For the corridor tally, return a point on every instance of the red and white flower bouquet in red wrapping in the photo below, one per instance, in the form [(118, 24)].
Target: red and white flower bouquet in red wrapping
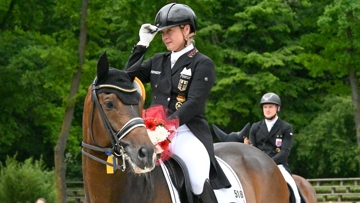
[(161, 130)]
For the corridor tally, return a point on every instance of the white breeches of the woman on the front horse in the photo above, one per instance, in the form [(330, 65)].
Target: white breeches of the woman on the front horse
[(189, 148)]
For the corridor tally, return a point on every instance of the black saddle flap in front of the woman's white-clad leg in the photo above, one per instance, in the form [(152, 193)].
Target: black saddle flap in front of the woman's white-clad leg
[(180, 178)]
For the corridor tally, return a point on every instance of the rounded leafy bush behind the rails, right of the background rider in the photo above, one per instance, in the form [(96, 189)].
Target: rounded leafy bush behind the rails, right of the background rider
[(327, 143)]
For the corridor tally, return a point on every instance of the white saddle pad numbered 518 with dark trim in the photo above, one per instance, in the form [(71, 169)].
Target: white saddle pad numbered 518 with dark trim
[(234, 194)]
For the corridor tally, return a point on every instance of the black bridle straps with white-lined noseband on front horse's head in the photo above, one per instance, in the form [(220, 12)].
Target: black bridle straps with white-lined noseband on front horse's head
[(115, 137)]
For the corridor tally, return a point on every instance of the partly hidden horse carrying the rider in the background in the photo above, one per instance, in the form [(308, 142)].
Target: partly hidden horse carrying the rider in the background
[(305, 187)]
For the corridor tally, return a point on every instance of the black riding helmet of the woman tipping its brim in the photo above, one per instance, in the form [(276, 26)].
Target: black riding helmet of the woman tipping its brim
[(175, 14)]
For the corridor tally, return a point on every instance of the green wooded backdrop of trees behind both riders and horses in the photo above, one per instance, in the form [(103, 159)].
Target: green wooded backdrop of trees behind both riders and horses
[(307, 52)]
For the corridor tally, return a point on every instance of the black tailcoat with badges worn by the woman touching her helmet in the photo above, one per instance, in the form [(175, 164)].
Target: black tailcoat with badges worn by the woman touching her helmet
[(168, 83)]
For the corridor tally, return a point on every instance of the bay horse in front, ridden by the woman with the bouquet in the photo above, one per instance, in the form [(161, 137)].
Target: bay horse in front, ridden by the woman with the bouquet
[(112, 128)]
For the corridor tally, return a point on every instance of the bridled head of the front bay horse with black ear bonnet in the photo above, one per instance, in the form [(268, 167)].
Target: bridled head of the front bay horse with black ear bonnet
[(112, 121)]
